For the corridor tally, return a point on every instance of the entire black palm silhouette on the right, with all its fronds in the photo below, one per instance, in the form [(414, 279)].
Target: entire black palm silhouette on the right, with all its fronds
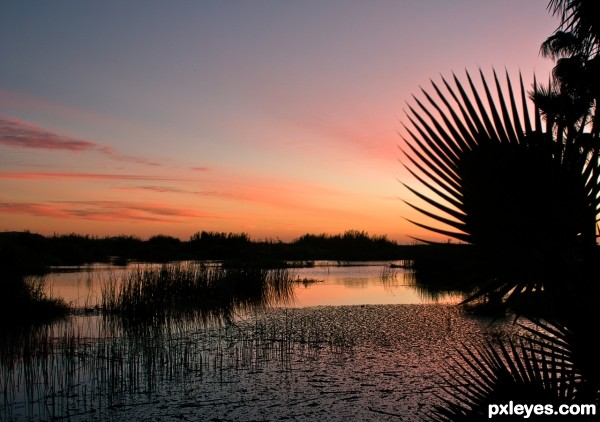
[(520, 182)]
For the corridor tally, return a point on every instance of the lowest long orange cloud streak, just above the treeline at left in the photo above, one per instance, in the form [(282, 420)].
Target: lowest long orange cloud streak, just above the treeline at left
[(104, 211)]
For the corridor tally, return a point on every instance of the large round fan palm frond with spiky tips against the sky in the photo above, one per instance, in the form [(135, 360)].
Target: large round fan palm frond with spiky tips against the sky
[(497, 176)]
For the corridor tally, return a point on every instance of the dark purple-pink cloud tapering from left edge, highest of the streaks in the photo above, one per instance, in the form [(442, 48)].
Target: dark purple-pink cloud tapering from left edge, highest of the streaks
[(18, 134)]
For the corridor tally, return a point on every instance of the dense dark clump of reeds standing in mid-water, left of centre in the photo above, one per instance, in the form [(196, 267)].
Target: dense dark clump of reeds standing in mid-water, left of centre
[(188, 288)]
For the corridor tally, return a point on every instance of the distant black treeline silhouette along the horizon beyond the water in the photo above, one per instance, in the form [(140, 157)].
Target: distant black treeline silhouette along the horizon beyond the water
[(34, 252)]
